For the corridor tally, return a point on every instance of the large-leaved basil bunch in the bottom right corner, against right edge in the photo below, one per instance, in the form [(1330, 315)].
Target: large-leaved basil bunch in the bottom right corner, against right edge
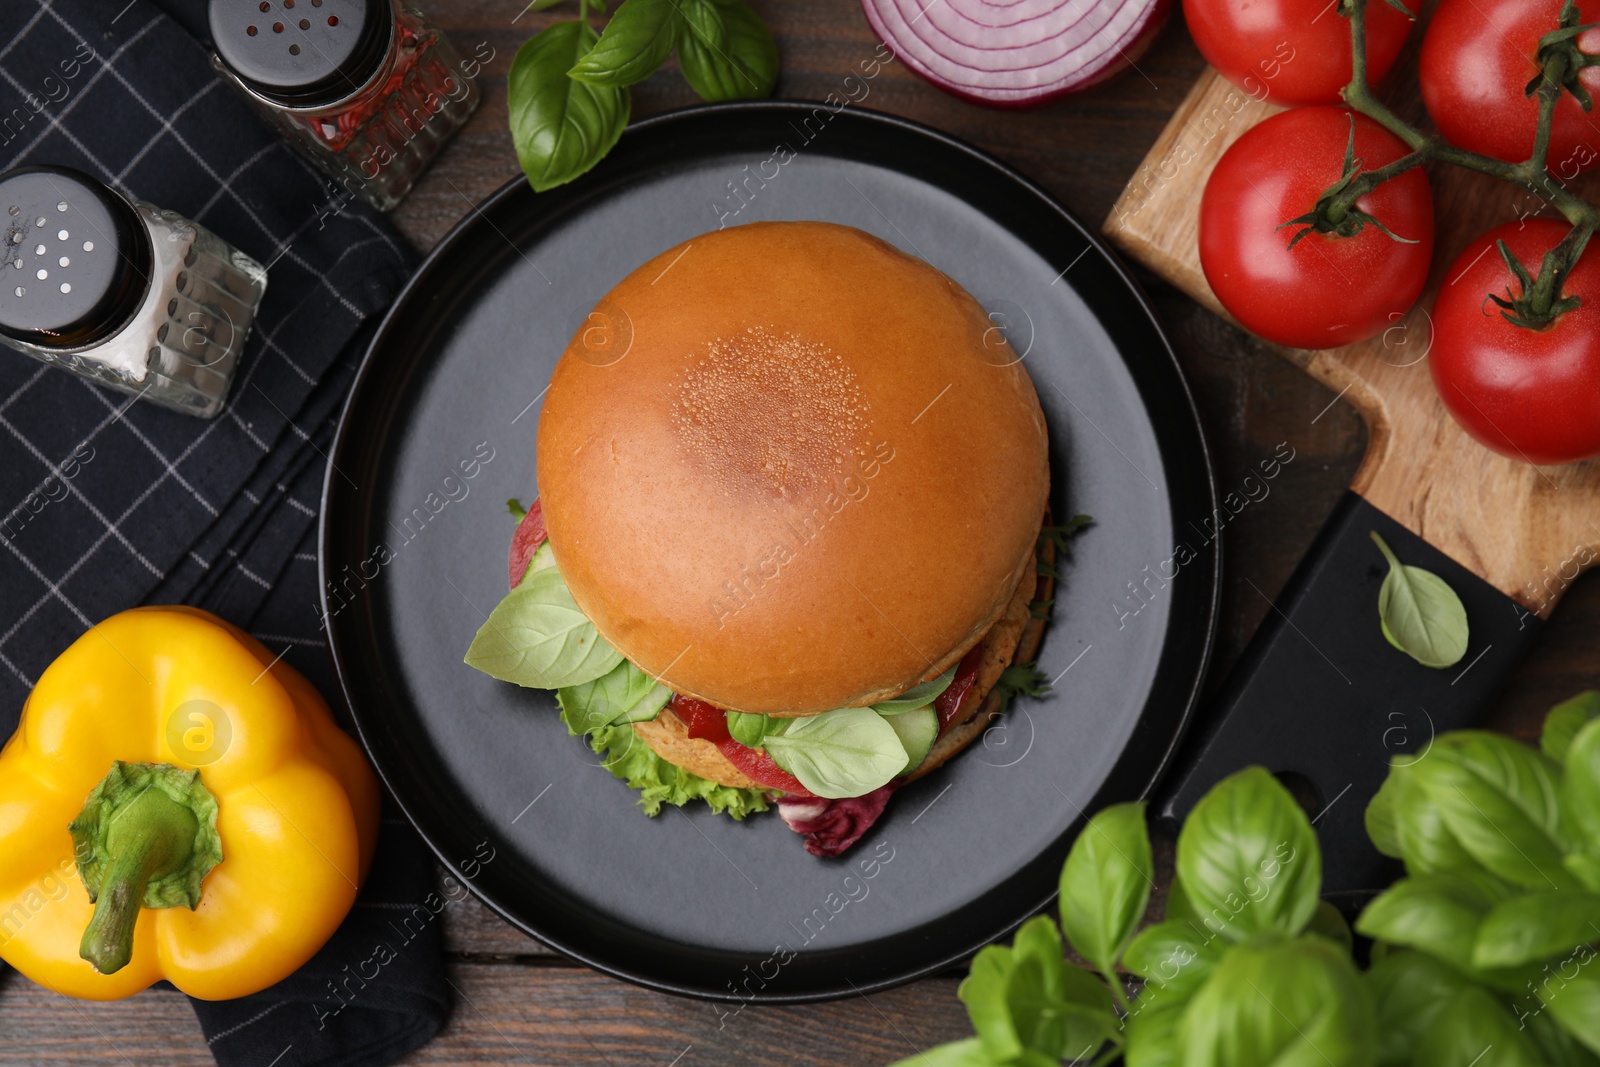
[(1500, 909)]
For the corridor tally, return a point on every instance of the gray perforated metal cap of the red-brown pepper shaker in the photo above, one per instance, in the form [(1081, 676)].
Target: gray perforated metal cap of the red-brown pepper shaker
[(302, 52)]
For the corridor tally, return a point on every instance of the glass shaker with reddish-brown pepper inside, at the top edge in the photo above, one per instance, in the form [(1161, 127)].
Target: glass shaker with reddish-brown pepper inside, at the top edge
[(369, 90)]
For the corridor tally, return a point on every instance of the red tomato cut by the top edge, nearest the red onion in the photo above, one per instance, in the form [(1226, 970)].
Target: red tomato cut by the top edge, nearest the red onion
[(1294, 52)]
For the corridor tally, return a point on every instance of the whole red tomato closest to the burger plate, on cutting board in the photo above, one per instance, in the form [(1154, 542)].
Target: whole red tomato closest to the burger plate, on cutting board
[(1327, 290)]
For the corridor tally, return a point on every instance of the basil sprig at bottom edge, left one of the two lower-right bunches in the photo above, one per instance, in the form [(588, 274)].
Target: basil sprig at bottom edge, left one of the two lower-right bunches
[(1220, 989)]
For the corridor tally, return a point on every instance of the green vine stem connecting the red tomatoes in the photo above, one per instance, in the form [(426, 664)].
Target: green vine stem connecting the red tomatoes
[(1542, 298)]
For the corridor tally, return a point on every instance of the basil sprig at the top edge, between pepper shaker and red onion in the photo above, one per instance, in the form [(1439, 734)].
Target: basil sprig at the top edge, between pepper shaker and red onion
[(567, 94)]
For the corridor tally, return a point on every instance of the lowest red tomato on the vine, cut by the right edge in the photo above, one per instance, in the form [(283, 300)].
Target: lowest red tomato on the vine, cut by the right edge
[(1530, 394)]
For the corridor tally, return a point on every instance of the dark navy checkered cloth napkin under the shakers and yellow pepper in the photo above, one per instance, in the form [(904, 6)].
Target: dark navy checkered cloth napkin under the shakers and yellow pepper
[(108, 503)]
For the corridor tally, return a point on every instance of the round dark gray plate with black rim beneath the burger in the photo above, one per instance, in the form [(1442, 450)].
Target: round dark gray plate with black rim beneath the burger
[(690, 901)]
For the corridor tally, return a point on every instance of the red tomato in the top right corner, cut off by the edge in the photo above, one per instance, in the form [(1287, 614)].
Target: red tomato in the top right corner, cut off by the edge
[(1478, 58)]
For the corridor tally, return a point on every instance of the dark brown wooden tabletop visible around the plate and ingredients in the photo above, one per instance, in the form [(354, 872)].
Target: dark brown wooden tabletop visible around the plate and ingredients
[(521, 1004)]
